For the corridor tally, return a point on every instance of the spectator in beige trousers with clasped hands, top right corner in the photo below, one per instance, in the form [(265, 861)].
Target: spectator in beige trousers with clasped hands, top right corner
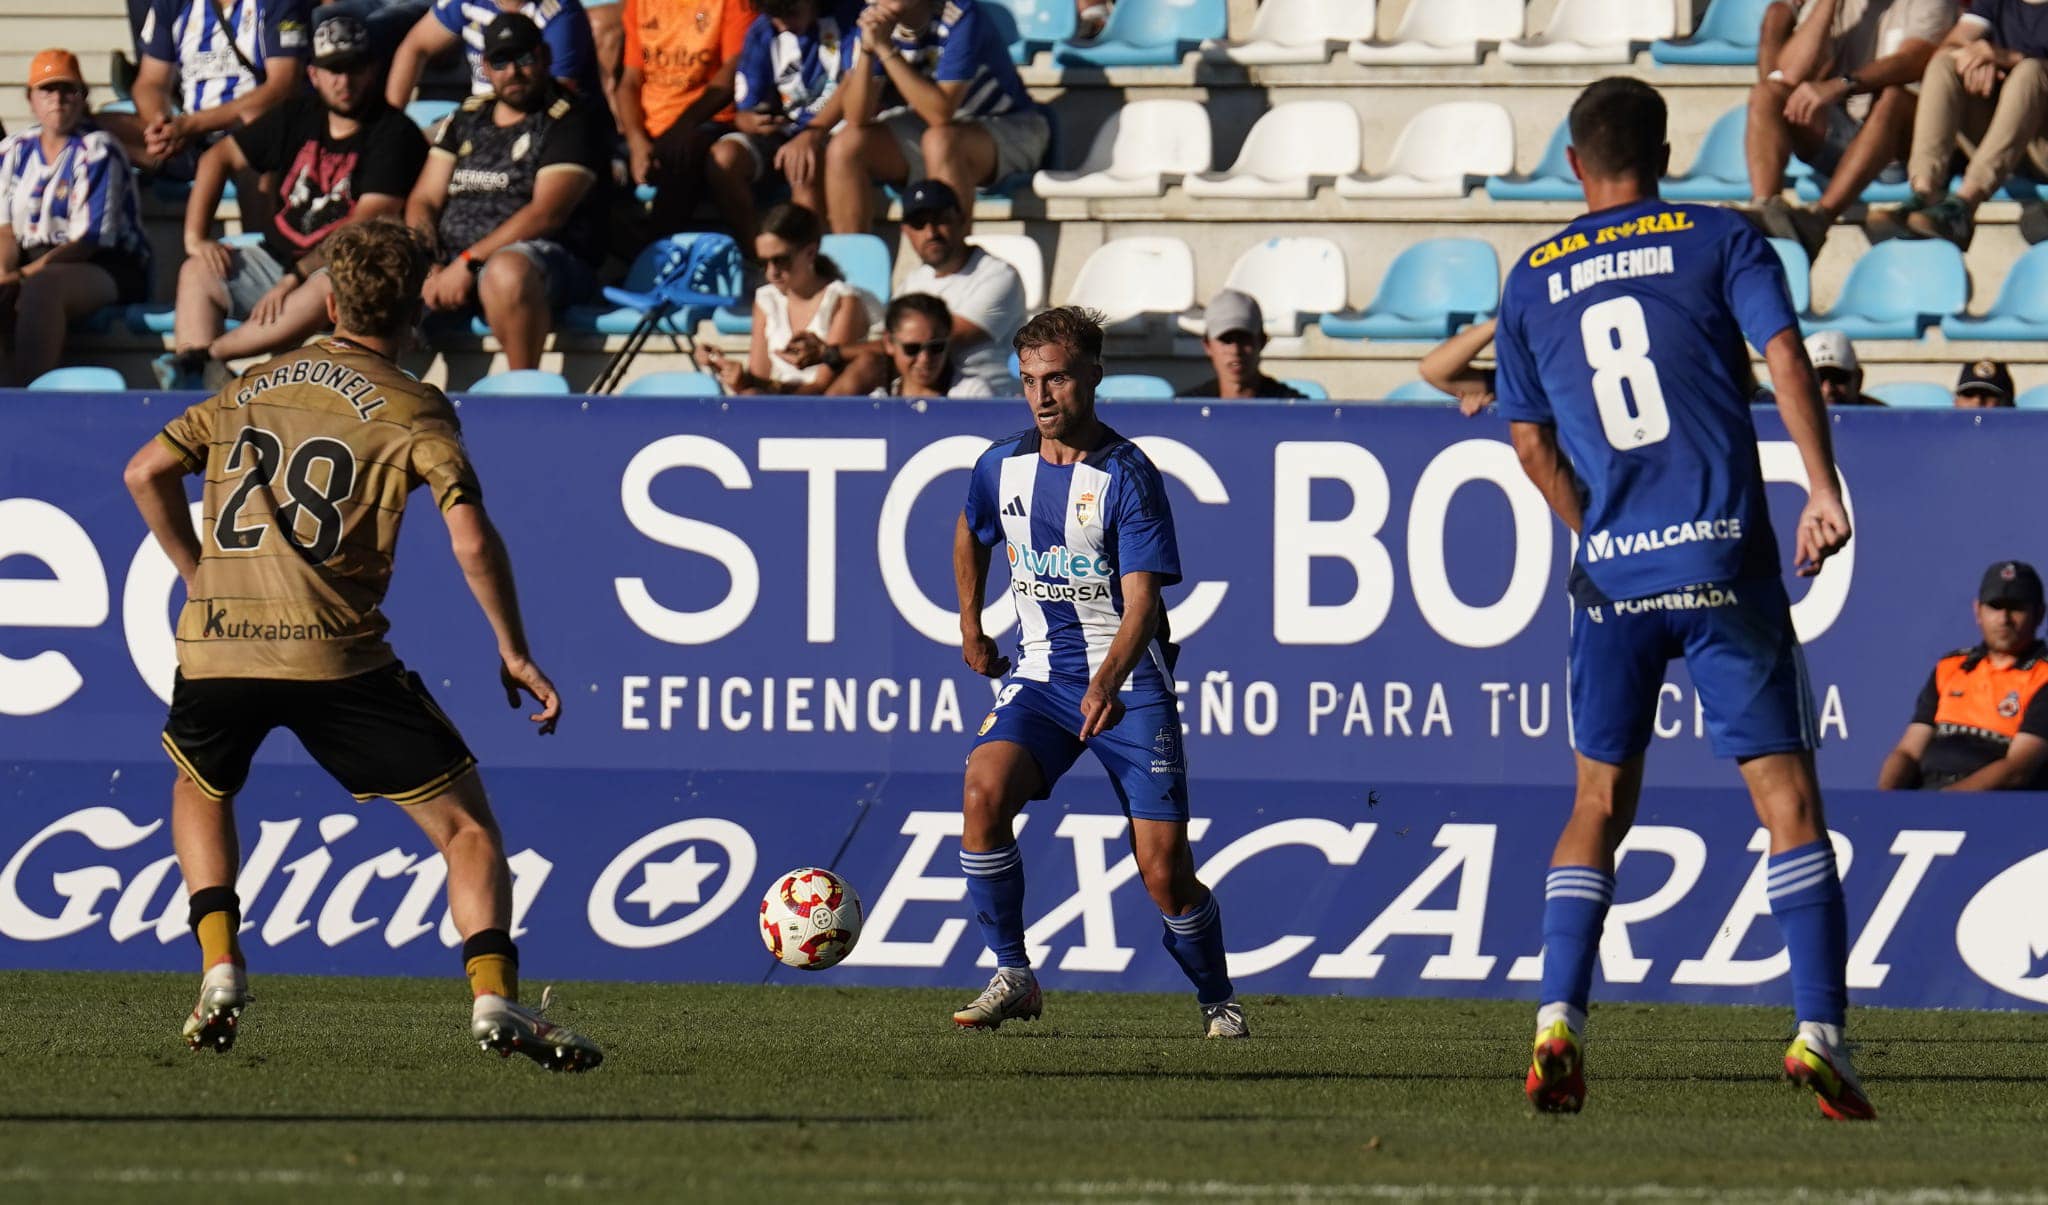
[(1988, 93)]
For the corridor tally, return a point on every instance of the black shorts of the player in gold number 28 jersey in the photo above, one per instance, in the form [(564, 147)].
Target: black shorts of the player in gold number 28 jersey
[(380, 735)]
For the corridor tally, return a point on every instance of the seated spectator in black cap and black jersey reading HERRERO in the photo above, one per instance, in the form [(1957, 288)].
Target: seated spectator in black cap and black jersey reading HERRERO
[(511, 192)]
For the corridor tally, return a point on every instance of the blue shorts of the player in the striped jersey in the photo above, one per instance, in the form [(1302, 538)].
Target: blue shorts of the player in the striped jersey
[(1142, 753)]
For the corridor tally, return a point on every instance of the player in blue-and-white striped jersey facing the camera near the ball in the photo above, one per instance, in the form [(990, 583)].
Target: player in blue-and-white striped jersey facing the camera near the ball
[(1086, 530)]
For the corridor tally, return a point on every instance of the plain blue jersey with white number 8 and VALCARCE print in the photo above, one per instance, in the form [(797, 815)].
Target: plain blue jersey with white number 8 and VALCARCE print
[(1627, 335)]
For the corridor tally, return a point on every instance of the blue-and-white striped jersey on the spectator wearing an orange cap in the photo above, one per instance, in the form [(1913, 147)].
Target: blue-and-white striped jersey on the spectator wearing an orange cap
[(85, 196)]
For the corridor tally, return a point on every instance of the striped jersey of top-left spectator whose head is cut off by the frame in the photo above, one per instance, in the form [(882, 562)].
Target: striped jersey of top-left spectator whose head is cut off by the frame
[(189, 36)]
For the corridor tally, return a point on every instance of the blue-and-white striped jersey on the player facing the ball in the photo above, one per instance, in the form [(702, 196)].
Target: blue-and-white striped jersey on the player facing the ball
[(1070, 536)]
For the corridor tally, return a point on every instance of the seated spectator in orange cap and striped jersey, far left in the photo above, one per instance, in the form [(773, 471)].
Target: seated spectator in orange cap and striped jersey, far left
[(71, 231)]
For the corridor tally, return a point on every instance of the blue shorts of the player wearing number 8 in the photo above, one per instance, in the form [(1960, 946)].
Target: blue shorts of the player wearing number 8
[(1740, 649)]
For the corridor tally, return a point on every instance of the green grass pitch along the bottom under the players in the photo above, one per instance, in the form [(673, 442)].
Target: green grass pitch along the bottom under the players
[(370, 1089)]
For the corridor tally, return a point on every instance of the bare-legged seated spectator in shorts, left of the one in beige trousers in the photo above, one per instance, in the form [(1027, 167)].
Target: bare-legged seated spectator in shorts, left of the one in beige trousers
[(1842, 97)]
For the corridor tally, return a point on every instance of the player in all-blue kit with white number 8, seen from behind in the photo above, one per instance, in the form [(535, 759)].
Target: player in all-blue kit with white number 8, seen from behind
[(1627, 382)]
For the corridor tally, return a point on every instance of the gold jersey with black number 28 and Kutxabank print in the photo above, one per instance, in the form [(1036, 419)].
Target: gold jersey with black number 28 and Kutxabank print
[(308, 462)]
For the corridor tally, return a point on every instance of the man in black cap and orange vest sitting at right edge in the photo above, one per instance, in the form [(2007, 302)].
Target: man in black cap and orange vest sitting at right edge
[(1981, 722)]
